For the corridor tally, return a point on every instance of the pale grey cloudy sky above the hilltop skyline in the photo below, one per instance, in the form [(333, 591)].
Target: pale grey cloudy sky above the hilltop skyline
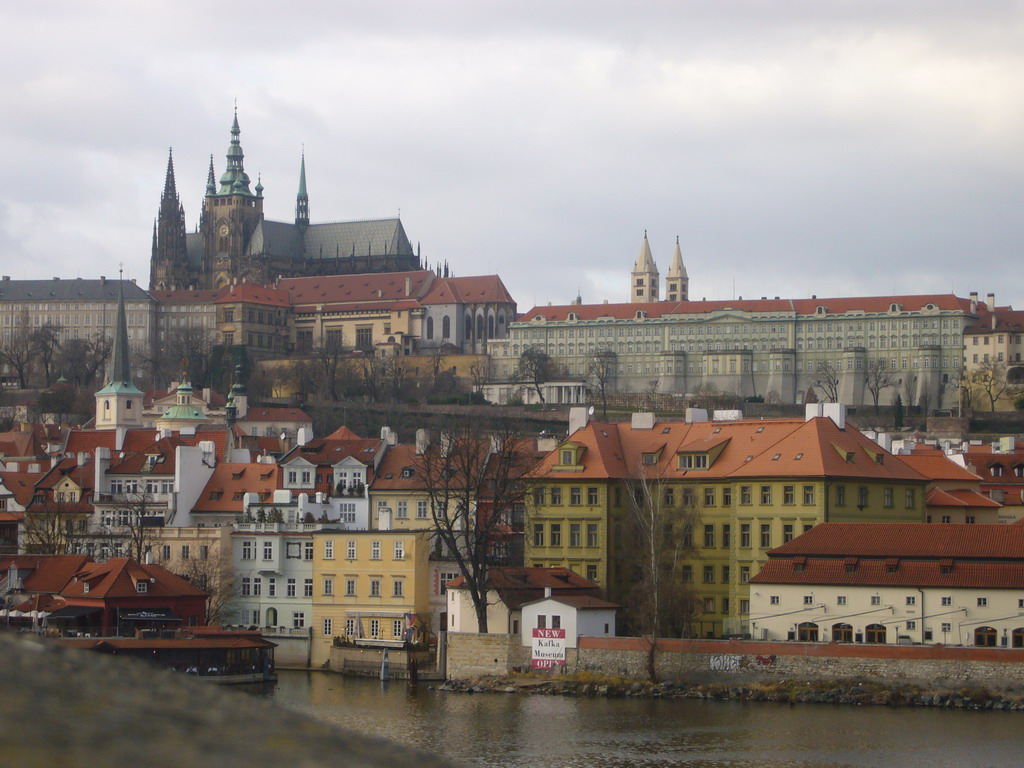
[(795, 148)]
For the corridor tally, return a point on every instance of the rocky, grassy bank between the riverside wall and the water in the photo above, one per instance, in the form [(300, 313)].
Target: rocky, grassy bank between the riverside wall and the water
[(783, 692)]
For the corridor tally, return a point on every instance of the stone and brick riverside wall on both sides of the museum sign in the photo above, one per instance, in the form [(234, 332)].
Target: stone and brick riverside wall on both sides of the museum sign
[(748, 662)]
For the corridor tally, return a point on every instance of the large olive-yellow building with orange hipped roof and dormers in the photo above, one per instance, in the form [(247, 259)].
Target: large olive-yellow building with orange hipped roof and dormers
[(718, 494)]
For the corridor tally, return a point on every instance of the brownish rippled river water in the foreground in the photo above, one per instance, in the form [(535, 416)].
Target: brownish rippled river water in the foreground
[(530, 732)]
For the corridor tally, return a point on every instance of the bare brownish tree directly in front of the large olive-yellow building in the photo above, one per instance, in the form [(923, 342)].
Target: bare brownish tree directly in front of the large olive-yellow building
[(663, 518)]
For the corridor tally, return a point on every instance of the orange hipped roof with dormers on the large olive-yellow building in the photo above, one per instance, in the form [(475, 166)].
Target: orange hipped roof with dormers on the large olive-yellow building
[(784, 448)]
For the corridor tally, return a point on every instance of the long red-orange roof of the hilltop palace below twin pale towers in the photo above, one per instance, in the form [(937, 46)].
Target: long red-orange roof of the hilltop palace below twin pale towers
[(786, 307)]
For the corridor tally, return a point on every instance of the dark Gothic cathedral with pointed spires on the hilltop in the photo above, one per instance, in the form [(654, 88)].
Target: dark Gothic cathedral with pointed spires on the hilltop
[(235, 243)]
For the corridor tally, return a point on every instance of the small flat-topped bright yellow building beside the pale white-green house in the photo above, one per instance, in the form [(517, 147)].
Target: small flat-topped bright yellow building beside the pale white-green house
[(370, 585)]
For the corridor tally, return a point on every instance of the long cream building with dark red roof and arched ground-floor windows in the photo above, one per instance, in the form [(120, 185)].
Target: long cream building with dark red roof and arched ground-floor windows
[(893, 583)]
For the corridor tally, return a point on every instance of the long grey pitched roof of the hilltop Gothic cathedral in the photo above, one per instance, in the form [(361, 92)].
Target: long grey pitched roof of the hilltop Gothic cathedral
[(339, 239)]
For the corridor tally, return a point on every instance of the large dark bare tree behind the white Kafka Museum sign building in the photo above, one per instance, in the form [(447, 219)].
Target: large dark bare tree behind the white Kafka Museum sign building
[(474, 454)]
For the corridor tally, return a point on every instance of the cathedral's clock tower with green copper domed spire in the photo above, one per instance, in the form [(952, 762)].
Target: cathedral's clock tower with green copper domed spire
[(231, 215)]
